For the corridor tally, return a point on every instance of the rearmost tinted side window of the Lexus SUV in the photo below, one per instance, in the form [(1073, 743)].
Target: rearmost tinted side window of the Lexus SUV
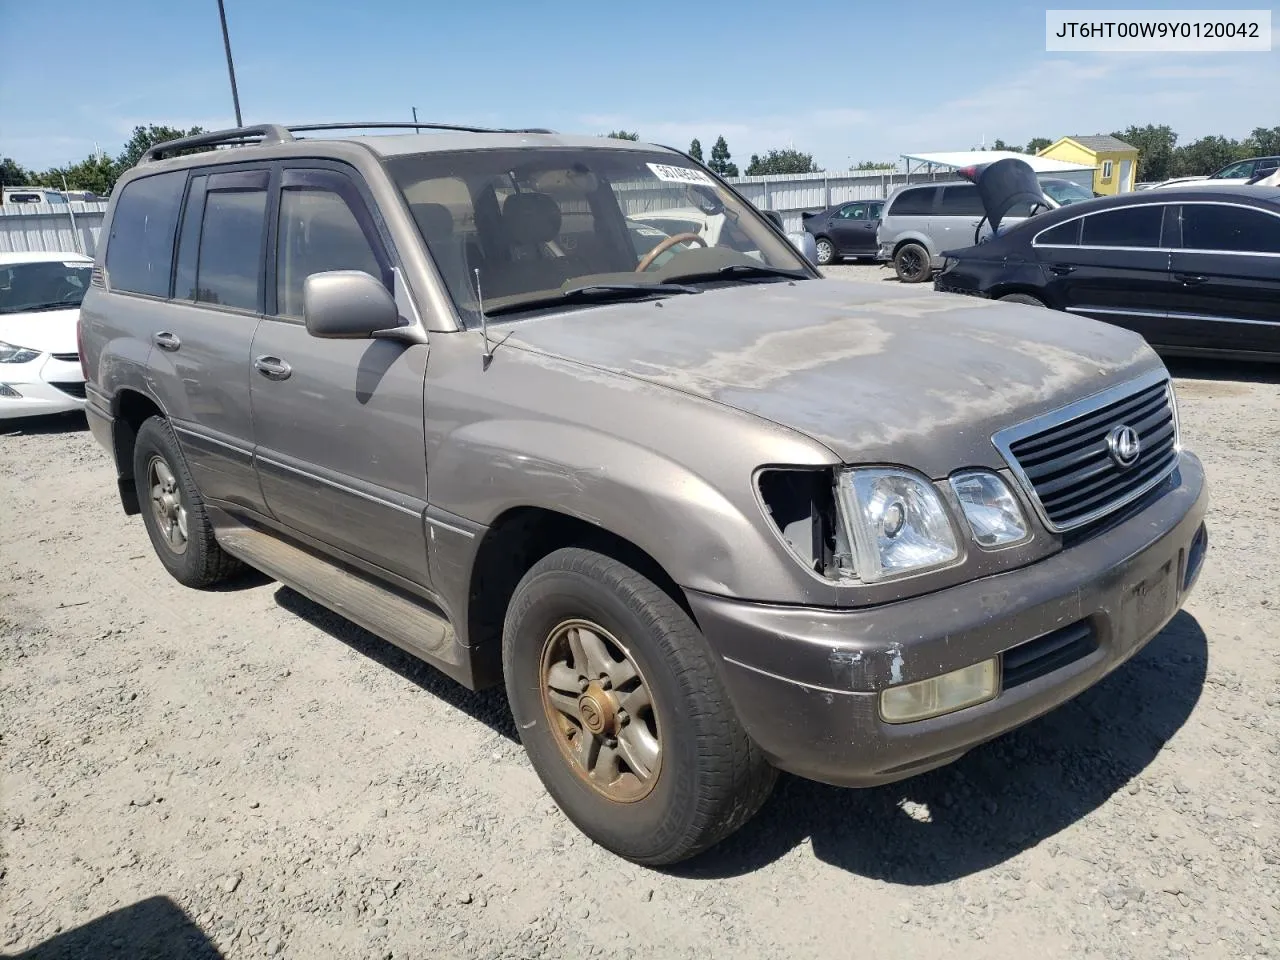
[(140, 250)]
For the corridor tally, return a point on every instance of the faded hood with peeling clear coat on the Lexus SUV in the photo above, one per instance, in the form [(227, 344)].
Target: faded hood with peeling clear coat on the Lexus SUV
[(876, 372)]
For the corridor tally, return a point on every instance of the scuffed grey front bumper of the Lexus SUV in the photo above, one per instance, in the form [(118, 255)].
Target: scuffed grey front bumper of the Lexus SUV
[(806, 682)]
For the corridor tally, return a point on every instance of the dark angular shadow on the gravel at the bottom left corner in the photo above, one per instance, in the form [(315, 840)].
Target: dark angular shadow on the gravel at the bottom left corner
[(156, 929)]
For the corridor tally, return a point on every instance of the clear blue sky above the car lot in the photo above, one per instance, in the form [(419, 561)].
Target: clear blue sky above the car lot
[(845, 81)]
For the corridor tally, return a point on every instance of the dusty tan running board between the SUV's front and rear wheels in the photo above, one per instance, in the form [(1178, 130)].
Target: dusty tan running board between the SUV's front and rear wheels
[(405, 623)]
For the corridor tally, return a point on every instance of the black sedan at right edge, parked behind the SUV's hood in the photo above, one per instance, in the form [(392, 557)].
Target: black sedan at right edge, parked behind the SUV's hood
[(1196, 272)]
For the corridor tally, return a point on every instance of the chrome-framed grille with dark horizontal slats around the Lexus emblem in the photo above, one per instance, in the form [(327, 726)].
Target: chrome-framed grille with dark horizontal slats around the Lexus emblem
[(1064, 459)]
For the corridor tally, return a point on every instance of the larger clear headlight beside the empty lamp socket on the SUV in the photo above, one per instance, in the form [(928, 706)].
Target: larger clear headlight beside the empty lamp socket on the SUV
[(895, 523)]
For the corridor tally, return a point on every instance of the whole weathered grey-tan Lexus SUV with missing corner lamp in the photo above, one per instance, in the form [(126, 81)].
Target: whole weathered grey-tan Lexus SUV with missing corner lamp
[(706, 516)]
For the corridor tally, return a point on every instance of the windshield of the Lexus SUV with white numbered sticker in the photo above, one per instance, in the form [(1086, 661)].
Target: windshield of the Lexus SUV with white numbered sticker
[(540, 225)]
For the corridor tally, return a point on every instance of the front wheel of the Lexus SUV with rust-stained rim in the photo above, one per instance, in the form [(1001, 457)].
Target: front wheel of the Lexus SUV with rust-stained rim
[(707, 780)]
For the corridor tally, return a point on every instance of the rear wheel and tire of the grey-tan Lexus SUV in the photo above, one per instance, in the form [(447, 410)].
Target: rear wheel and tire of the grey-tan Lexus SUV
[(185, 543)]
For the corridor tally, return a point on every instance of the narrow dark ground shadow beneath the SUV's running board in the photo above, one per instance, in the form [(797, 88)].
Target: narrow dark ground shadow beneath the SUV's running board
[(490, 707)]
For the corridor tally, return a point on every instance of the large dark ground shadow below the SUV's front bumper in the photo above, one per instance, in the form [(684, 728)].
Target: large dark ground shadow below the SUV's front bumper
[(998, 801)]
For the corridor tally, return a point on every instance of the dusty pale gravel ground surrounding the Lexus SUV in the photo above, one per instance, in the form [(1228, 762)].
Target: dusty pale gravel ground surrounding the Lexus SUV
[(245, 774)]
